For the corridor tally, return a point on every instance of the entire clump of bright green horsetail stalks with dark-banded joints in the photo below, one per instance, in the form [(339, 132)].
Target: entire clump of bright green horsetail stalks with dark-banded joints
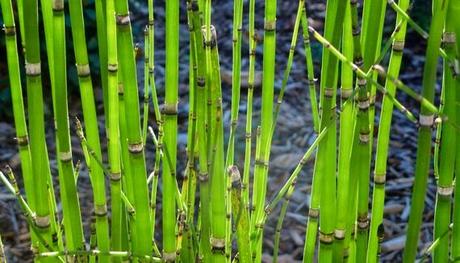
[(212, 205)]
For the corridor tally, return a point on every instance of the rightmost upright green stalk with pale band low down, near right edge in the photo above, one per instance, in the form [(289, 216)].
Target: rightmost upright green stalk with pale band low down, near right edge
[(447, 152)]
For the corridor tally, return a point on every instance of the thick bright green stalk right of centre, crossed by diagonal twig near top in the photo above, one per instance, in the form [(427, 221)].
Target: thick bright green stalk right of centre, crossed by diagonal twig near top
[(325, 164)]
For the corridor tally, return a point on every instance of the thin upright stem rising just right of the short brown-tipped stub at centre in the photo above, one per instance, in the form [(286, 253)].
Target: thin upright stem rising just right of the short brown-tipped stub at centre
[(249, 105)]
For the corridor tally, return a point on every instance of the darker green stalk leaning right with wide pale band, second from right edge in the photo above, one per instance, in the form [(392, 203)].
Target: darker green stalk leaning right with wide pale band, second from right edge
[(424, 136)]
